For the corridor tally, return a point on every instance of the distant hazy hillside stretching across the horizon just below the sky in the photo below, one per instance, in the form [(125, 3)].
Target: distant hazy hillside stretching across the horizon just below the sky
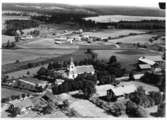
[(83, 10)]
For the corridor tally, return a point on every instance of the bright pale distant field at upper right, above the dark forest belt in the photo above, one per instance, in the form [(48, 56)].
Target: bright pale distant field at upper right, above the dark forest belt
[(117, 18)]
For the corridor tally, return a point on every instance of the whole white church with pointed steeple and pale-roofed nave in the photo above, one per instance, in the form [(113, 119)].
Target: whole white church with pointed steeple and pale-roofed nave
[(74, 71)]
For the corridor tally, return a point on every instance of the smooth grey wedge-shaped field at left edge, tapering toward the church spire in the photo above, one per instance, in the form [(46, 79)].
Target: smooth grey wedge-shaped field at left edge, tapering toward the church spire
[(10, 56)]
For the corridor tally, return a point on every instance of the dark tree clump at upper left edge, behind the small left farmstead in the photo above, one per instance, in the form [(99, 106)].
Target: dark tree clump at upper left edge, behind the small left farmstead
[(13, 25)]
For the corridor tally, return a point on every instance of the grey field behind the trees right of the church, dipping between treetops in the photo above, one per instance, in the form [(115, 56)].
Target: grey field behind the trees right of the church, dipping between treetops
[(127, 58)]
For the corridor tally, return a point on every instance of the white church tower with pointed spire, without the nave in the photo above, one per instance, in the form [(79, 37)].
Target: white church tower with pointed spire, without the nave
[(72, 70)]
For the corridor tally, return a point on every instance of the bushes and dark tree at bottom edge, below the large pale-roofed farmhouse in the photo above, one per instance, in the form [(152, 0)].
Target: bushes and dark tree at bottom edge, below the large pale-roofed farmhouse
[(120, 108)]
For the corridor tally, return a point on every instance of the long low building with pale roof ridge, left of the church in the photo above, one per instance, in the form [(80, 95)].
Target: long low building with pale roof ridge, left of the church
[(30, 83)]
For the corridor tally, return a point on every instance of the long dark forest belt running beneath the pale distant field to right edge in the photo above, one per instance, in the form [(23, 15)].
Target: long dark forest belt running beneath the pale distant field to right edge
[(78, 19)]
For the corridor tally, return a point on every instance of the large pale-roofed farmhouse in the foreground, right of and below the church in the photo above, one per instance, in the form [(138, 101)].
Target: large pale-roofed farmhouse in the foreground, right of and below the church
[(115, 91)]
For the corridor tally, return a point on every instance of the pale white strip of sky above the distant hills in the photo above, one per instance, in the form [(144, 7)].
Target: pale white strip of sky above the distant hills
[(138, 3)]
